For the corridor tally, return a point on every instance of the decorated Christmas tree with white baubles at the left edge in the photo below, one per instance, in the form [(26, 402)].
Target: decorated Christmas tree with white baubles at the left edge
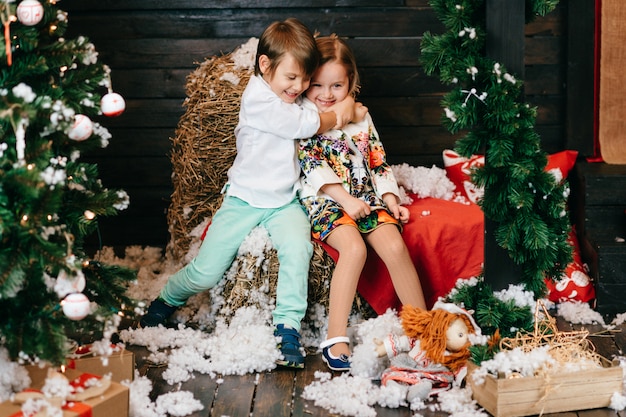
[(51, 90)]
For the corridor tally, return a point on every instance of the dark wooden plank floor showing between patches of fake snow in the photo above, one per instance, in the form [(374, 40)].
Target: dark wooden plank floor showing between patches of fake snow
[(278, 393)]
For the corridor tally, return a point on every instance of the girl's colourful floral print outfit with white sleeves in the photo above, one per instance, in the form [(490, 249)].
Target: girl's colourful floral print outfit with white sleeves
[(355, 158)]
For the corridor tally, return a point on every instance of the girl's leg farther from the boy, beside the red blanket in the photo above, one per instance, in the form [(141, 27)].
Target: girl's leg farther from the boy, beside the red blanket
[(389, 245)]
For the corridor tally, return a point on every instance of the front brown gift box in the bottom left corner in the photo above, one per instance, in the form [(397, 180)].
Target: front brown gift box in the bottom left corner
[(113, 402)]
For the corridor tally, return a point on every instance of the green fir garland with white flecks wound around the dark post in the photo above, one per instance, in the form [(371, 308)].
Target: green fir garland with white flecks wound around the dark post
[(528, 205)]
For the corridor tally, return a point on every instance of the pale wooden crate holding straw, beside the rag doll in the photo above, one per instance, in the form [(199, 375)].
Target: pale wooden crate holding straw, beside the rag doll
[(514, 397)]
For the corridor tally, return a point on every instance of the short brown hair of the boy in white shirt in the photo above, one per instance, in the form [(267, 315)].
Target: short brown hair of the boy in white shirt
[(289, 36)]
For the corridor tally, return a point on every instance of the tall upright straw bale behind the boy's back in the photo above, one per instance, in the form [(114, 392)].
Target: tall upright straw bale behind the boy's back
[(203, 147)]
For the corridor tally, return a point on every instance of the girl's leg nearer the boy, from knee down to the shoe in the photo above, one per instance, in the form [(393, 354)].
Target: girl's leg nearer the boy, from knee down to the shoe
[(352, 254)]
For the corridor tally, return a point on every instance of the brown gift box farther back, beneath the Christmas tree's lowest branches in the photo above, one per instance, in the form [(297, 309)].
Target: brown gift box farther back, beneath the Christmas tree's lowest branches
[(120, 364)]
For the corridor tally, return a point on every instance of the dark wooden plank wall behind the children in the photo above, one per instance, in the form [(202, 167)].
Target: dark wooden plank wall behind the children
[(152, 45)]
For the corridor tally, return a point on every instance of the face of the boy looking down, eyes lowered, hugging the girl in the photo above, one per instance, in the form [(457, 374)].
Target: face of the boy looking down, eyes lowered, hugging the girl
[(288, 80)]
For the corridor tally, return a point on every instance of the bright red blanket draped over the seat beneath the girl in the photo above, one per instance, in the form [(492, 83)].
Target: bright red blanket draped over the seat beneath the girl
[(445, 240)]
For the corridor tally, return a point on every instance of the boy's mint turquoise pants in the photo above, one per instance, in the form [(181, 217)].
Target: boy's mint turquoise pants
[(290, 232)]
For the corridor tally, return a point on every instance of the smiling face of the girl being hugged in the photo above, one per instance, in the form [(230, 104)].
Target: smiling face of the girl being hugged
[(330, 84)]
